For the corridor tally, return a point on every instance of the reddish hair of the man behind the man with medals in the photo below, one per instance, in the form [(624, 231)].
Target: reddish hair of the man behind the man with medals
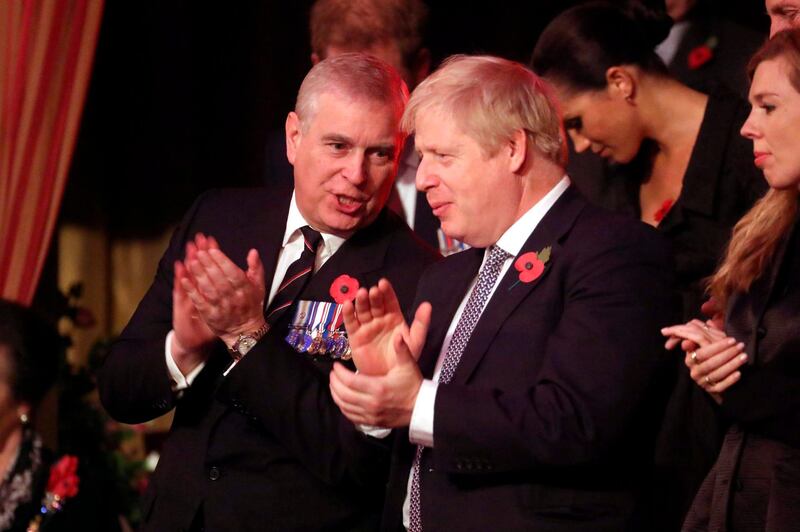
[(361, 24)]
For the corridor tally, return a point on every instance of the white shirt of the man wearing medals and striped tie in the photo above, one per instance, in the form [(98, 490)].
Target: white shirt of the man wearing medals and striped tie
[(291, 250)]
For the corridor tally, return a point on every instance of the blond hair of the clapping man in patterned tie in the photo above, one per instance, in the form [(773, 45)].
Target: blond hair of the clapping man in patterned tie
[(490, 98)]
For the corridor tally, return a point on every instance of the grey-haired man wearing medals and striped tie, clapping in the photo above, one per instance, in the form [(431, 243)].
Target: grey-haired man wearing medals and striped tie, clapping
[(242, 323)]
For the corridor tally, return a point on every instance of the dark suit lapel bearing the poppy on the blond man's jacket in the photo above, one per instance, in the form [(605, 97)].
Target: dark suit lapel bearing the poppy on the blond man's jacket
[(510, 293)]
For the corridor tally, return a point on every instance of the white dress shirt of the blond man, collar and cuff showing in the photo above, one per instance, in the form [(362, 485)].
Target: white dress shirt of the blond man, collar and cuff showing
[(420, 430)]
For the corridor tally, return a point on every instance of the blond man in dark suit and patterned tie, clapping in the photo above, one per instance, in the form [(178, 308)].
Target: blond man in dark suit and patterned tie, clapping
[(527, 391)]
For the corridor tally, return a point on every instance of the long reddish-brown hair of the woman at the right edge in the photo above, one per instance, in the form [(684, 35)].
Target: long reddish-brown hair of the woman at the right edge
[(757, 235)]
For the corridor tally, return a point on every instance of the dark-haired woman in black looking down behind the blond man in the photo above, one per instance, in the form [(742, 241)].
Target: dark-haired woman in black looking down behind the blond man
[(677, 162)]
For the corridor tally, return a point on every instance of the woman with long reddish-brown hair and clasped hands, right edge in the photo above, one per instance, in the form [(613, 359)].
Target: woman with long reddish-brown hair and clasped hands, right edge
[(752, 367)]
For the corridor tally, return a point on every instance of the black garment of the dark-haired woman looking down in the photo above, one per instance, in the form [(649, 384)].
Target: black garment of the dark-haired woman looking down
[(720, 185)]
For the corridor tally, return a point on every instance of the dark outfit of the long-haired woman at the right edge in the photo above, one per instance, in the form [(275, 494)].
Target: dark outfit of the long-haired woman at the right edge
[(755, 483)]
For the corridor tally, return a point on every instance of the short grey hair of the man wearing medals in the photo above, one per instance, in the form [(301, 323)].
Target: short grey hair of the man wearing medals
[(354, 75)]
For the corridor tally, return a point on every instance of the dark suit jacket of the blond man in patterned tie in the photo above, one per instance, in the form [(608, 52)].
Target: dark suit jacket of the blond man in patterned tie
[(549, 421)]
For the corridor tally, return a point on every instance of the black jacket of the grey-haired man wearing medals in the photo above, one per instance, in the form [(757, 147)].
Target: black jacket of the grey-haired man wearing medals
[(265, 448)]
